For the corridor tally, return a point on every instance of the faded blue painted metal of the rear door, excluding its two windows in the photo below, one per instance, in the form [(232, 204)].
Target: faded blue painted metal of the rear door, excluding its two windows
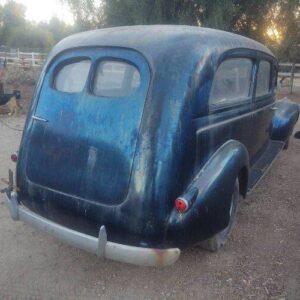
[(87, 138)]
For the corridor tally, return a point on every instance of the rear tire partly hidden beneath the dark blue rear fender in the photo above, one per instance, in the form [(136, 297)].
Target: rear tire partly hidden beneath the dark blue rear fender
[(217, 241)]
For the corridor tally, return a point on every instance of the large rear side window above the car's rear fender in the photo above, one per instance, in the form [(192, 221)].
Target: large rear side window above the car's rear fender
[(231, 83)]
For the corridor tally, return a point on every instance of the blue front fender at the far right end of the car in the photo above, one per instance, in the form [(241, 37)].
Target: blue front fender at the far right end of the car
[(284, 120)]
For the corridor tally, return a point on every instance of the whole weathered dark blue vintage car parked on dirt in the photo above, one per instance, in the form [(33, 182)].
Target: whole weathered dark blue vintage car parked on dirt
[(140, 140)]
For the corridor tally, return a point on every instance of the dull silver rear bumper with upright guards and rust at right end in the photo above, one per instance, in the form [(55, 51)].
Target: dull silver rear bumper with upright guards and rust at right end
[(100, 246)]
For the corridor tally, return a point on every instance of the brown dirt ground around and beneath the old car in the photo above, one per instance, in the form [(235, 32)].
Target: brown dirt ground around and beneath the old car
[(261, 260)]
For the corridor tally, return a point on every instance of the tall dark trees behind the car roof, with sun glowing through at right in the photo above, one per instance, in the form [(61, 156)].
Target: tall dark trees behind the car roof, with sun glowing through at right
[(251, 18)]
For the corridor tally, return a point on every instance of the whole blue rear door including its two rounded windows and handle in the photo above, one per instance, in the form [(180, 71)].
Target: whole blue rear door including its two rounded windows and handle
[(85, 146)]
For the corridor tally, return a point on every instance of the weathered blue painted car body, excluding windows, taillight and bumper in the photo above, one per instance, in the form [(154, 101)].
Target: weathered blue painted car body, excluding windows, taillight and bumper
[(169, 136)]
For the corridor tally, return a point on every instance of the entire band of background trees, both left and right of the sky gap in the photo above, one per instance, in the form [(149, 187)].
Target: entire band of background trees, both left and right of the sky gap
[(252, 18)]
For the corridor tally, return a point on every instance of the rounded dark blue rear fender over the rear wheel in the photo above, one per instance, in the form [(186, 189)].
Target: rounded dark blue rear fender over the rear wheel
[(209, 197)]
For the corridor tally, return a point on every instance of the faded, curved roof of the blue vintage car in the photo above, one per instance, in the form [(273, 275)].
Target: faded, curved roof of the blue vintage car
[(158, 40)]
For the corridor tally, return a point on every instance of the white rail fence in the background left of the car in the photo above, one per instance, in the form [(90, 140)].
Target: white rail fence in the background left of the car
[(23, 59)]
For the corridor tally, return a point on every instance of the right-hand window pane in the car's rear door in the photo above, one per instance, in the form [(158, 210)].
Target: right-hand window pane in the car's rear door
[(116, 79)]
